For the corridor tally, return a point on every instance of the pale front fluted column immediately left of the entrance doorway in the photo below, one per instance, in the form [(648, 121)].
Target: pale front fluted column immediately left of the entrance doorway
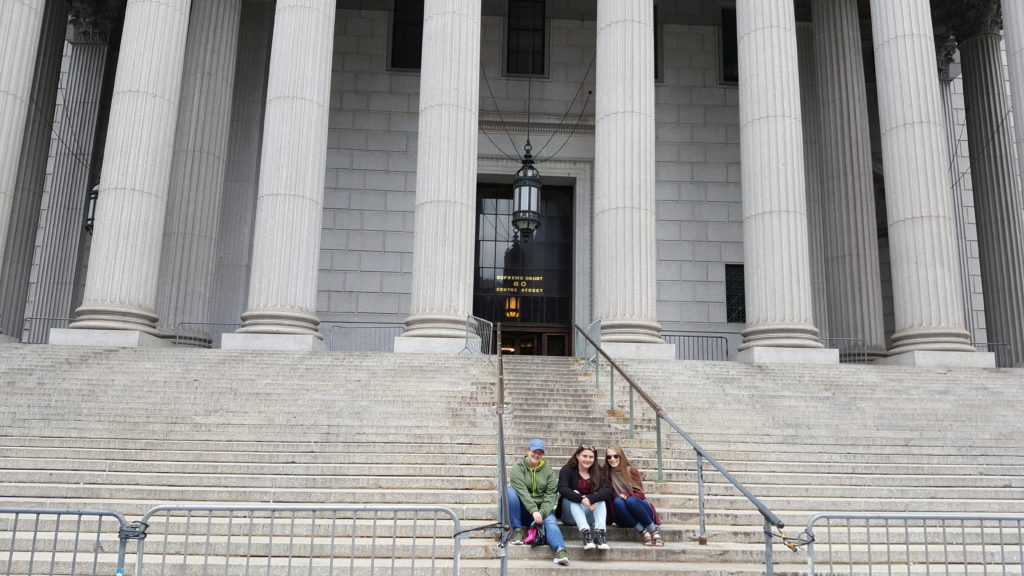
[(446, 180)]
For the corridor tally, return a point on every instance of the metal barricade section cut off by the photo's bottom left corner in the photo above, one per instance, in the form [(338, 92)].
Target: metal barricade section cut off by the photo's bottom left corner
[(35, 542)]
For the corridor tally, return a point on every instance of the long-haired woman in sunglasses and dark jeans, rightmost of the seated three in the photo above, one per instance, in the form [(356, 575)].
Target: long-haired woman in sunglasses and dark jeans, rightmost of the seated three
[(629, 506)]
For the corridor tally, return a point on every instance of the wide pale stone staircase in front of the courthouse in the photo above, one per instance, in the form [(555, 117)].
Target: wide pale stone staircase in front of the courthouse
[(127, 430)]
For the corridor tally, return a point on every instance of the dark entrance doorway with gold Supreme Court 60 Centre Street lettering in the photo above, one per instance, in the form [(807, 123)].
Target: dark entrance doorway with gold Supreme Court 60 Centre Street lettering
[(526, 285)]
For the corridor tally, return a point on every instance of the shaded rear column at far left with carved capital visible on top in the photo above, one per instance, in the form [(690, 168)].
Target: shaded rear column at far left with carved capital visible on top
[(61, 230)]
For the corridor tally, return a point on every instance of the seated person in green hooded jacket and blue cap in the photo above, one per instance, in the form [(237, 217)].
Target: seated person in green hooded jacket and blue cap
[(533, 495)]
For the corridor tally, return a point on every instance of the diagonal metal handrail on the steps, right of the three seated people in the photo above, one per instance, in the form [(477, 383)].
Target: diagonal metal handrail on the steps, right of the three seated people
[(770, 517)]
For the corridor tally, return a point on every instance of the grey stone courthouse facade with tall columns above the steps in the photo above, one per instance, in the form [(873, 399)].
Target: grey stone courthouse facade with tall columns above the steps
[(792, 176)]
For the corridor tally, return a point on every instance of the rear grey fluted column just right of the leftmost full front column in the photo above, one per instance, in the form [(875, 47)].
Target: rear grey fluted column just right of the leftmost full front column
[(198, 170)]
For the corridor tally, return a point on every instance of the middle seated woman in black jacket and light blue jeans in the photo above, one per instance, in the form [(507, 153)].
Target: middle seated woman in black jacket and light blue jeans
[(584, 493)]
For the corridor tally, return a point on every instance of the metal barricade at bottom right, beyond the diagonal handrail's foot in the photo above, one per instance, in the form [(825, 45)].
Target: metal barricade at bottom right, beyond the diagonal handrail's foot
[(908, 544)]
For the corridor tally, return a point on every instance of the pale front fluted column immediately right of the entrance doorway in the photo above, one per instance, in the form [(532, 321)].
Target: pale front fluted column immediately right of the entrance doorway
[(625, 286)]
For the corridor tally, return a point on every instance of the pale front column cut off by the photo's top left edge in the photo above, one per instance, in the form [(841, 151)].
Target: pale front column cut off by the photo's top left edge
[(21, 26)]
